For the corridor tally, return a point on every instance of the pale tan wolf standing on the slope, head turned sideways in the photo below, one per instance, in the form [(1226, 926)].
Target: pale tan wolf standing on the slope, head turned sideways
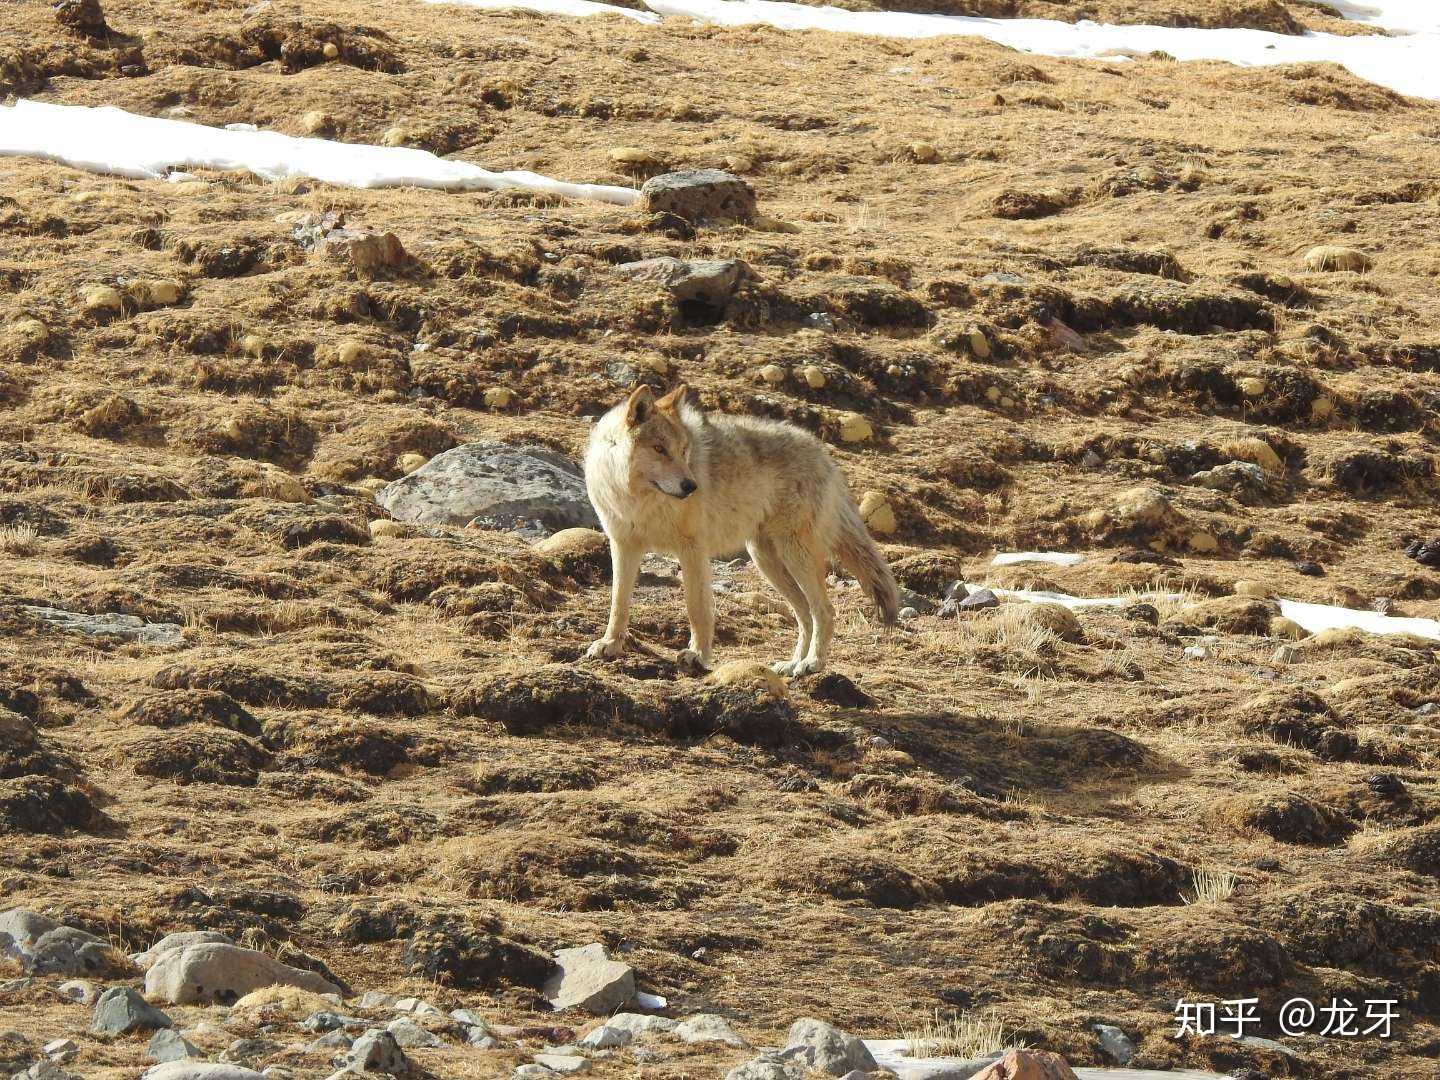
[(667, 477)]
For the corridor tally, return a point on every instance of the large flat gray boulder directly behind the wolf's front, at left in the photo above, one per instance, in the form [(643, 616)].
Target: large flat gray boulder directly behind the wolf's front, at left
[(496, 486)]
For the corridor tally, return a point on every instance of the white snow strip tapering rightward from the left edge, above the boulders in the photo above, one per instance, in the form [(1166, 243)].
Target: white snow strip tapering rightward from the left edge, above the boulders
[(110, 140)]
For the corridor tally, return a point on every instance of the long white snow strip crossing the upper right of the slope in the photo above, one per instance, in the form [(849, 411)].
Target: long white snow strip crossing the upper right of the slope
[(1408, 64)]
